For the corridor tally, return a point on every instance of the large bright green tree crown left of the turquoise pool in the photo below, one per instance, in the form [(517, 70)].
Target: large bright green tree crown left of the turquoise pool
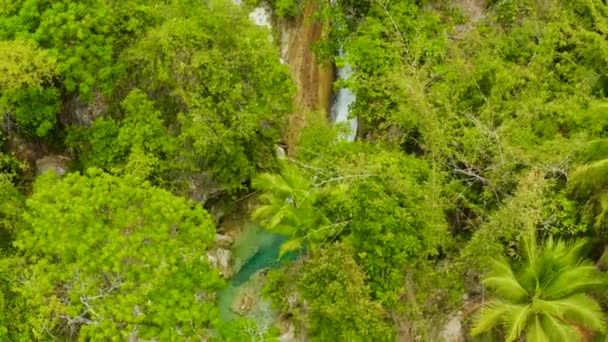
[(103, 257)]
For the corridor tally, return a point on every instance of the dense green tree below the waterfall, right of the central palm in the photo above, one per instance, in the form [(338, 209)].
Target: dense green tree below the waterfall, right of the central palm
[(394, 218)]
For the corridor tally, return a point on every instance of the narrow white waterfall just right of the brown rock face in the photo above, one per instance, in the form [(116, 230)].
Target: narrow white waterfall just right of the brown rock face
[(341, 107)]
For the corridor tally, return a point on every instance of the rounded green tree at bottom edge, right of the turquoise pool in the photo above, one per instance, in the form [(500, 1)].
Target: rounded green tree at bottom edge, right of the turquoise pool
[(327, 296)]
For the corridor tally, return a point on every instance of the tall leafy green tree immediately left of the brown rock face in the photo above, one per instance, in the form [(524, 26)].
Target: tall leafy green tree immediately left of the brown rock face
[(226, 89)]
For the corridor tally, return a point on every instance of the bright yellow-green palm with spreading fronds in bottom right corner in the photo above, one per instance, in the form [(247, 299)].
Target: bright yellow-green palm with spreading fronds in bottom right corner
[(545, 298)]
